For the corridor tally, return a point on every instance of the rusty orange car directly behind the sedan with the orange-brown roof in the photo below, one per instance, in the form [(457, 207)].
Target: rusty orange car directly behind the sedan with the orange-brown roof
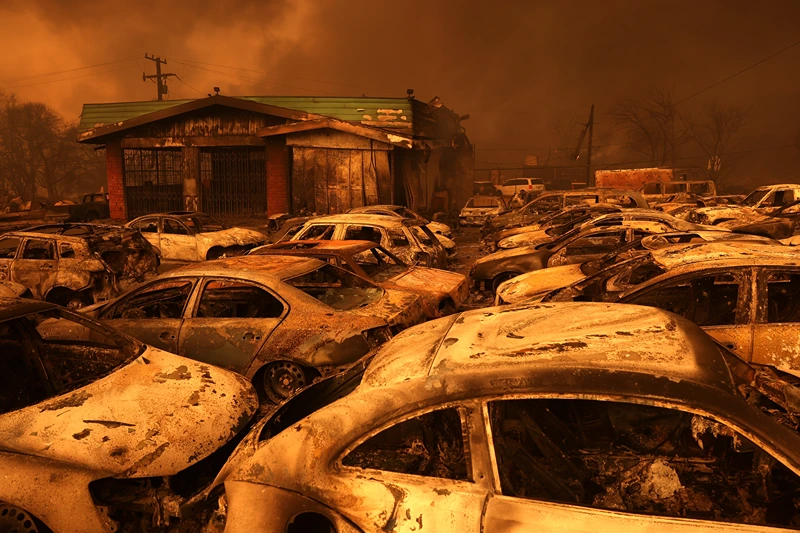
[(441, 292)]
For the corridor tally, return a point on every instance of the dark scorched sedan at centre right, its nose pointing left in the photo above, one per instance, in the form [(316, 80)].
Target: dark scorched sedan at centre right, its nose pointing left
[(575, 246)]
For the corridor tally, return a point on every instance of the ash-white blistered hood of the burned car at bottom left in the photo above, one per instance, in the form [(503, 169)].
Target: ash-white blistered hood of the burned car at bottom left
[(135, 421)]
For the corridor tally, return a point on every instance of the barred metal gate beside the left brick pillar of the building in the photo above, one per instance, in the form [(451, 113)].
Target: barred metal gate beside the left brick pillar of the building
[(153, 181)]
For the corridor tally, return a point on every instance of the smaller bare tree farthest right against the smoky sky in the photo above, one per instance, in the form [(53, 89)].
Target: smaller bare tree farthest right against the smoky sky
[(712, 131)]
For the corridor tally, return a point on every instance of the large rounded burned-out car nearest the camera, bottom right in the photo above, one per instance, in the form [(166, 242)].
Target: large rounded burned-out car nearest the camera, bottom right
[(552, 418)]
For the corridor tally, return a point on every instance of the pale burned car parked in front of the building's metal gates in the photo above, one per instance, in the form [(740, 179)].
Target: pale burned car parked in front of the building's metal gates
[(194, 236)]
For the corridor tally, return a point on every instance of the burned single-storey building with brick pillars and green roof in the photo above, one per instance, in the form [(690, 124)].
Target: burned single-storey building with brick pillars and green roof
[(255, 156)]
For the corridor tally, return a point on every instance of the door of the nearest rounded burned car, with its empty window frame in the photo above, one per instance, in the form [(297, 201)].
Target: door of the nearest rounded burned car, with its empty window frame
[(626, 520)]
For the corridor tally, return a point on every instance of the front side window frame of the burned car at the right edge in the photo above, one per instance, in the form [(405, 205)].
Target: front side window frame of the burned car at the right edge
[(745, 299)]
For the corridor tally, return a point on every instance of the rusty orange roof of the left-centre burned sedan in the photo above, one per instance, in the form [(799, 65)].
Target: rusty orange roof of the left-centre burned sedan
[(279, 267)]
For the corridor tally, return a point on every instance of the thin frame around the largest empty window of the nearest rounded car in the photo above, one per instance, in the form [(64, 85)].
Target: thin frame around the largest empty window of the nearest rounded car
[(672, 403)]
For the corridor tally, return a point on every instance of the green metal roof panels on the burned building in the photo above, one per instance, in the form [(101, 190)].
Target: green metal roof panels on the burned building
[(363, 110)]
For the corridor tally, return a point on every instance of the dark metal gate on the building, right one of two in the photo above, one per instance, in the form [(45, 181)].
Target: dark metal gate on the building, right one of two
[(234, 182)]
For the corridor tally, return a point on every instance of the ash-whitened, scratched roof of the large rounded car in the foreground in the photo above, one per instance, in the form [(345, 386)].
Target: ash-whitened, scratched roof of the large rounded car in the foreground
[(503, 340)]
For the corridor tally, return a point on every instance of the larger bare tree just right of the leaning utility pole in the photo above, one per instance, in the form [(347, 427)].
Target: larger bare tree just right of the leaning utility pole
[(652, 126)]
